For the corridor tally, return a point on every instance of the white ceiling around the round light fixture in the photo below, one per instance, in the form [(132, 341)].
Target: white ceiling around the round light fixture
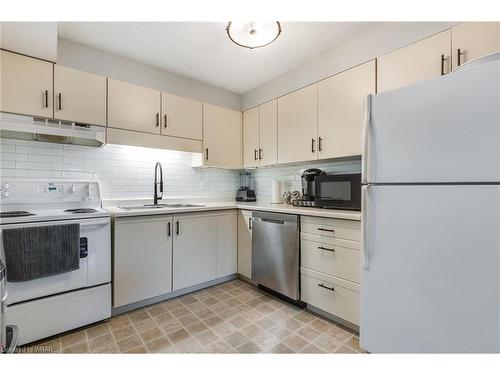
[(202, 50)]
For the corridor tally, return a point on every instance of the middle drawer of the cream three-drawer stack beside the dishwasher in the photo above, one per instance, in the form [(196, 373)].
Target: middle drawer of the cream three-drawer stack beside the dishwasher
[(334, 257)]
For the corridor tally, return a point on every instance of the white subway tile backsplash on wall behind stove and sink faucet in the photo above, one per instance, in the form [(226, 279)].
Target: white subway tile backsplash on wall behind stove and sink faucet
[(123, 171)]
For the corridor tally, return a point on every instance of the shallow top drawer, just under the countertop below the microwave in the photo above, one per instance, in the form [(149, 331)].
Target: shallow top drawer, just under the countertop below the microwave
[(346, 229)]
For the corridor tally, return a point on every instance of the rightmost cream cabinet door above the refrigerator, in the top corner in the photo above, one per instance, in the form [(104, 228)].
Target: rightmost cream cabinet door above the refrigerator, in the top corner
[(471, 40)]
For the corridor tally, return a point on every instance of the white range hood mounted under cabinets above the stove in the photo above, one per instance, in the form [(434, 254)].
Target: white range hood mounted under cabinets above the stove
[(51, 130)]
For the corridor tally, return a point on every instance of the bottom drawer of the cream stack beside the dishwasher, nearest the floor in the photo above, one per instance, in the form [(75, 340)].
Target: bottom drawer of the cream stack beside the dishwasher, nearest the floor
[(342, 301)]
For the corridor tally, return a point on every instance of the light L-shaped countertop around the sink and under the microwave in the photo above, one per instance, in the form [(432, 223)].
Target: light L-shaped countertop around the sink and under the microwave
[(113, 207)]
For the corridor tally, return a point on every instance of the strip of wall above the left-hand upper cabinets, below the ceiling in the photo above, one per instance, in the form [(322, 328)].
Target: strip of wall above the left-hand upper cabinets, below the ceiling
[(81, 57)]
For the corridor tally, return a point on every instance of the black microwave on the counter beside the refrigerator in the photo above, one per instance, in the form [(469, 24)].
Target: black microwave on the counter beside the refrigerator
[(338, 191)]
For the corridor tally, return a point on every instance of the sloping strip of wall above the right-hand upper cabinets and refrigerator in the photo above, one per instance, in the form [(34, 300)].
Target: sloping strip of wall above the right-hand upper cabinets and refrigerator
[(375, 42)]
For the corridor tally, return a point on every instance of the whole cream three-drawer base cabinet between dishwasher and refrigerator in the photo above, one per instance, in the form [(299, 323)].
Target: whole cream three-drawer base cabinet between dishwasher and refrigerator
[(330, 266)]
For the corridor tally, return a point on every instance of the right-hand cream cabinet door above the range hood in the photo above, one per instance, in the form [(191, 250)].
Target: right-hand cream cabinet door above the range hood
[(79, 96)]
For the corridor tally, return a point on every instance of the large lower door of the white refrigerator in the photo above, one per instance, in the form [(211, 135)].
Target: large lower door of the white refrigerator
[(431, 279)]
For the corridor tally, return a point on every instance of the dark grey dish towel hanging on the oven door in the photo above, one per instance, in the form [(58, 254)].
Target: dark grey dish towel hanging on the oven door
[(36, 252)]
